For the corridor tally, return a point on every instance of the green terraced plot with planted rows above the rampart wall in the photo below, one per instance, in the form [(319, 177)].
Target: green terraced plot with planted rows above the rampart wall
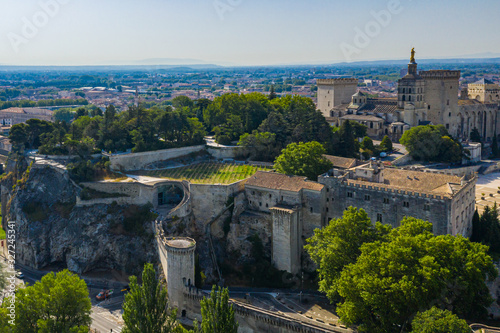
[(208, 173)]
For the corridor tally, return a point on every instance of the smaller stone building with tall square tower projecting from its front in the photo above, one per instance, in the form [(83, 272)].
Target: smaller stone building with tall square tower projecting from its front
[(296, 208)]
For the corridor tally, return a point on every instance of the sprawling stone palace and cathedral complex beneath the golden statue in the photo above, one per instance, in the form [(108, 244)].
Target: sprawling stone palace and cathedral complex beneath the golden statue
[(425, 97)]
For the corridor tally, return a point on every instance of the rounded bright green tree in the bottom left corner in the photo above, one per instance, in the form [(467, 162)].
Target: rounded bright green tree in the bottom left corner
[(57, 303)]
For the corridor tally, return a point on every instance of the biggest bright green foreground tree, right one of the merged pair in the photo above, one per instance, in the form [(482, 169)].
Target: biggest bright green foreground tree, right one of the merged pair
[(392, 280)]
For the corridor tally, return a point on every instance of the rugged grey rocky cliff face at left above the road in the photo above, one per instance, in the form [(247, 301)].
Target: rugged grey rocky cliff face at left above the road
[(52, 231)]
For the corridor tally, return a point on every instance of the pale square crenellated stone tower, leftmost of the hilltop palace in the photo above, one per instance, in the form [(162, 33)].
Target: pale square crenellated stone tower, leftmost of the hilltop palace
[(334, 92)]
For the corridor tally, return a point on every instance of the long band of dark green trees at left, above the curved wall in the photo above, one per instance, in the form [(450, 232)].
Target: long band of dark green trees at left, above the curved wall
[(137, 129)]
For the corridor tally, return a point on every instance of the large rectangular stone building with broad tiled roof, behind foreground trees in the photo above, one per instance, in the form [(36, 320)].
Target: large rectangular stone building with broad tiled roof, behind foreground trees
[(388, 195)]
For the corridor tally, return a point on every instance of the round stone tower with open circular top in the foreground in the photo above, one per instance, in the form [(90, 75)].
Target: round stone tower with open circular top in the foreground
[(180, 267)]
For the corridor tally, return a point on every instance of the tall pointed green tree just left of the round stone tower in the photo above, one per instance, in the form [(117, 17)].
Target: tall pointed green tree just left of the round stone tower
[(145, 309)]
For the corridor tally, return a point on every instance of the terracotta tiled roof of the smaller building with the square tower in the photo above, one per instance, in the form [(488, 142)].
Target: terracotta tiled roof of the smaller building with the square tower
[(278, 181)]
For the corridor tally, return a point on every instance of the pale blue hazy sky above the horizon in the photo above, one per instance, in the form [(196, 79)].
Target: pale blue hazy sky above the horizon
[(243, 32)]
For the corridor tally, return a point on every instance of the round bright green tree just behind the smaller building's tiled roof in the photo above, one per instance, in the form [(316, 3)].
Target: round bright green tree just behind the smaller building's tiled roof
[(303, 159)]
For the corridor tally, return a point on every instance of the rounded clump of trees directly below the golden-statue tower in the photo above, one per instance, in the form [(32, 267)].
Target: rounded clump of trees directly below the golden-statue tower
[(432, 143)]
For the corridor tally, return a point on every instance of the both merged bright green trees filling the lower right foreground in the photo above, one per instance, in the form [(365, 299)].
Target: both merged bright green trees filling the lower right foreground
[(385, 283)]
